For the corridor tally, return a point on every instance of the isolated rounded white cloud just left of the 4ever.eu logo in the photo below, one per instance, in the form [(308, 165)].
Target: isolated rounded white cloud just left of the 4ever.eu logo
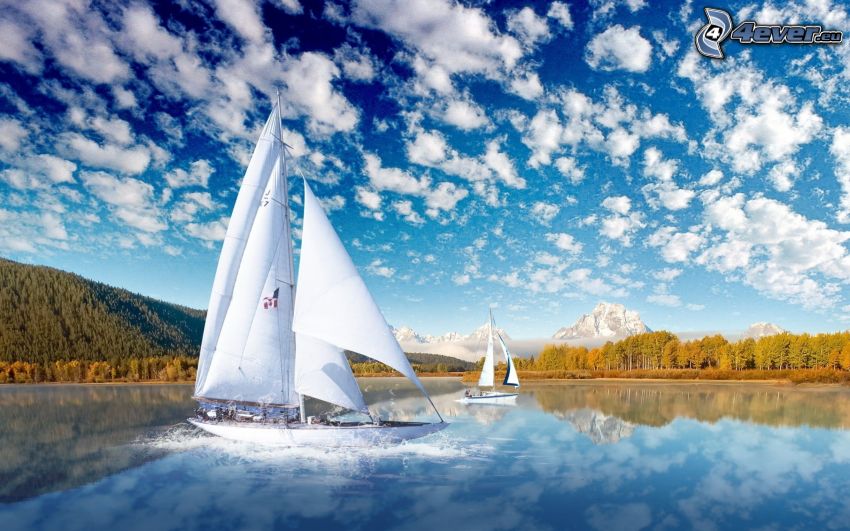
[(618, 48)]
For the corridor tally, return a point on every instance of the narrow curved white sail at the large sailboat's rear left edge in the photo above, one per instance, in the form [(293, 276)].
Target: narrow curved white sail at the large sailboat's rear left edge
[(263, 160)]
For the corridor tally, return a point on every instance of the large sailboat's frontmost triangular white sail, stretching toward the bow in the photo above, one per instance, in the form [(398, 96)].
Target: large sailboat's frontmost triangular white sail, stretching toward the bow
[(332, 303)]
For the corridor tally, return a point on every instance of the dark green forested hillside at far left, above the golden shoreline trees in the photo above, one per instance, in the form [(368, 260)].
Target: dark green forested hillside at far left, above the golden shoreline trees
[(48, 315)]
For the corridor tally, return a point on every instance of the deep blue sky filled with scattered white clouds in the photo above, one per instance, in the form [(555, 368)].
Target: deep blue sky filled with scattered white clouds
[(541, 157)]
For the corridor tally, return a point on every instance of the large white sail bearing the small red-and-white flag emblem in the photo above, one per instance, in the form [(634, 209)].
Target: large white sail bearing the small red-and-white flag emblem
[(252, 359)]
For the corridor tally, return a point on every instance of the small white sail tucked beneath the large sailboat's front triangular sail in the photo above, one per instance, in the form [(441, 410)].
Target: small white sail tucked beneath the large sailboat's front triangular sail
[(321, 371)]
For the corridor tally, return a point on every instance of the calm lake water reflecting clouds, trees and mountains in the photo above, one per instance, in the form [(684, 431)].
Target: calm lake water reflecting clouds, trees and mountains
[(579, 455)]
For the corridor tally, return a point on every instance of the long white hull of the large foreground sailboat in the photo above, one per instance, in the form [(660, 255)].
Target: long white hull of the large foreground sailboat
[(319, 434)]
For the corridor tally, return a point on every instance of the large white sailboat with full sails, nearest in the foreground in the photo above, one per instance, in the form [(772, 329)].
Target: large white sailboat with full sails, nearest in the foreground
[(266, 345)]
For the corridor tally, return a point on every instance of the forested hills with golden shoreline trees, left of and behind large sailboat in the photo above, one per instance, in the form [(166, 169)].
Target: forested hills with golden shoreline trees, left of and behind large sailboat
[(60, 327)]
